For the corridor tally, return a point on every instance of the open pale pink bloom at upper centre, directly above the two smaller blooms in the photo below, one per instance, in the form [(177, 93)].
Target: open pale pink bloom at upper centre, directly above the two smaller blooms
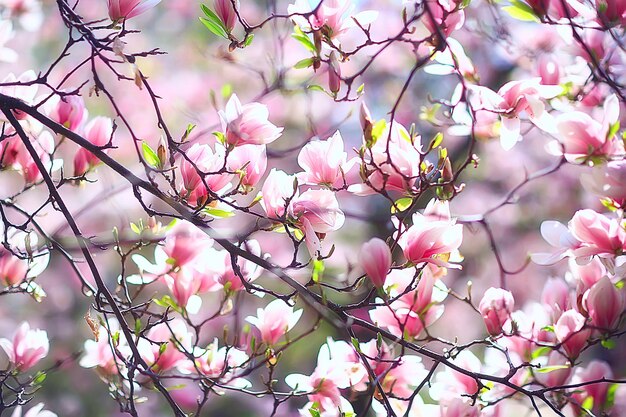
[(324, 162)]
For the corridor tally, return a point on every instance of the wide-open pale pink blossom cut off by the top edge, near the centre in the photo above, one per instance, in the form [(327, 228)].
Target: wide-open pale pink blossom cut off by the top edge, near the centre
[(333, 17)]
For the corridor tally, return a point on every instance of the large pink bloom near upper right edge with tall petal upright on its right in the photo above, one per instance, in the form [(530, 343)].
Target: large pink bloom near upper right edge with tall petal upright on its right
[(580, 136)]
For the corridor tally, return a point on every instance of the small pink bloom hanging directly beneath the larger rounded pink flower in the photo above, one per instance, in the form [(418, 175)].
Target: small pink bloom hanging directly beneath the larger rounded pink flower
[(249, 161)]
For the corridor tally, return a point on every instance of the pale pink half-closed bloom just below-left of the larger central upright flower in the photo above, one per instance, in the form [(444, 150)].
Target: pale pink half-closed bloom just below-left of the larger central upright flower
[(278, 189)]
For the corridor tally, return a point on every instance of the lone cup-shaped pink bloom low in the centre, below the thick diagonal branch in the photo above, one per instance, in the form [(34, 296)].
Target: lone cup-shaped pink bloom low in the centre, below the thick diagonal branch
[(274, 321)]
